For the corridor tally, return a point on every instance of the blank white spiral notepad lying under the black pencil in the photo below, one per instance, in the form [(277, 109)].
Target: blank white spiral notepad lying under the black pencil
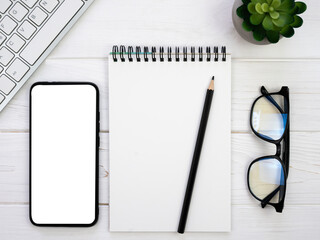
[(156, 97)]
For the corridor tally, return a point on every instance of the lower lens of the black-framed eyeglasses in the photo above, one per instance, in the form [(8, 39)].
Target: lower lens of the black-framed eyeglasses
[(266, 179)]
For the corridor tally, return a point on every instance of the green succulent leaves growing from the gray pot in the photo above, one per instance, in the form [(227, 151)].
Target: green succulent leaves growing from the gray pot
[(271, 18)]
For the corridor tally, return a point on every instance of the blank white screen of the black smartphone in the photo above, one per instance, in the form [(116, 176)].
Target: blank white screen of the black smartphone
[(63, 154)]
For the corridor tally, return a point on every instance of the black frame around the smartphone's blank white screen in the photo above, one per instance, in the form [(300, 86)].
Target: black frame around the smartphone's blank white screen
[(97, 156)]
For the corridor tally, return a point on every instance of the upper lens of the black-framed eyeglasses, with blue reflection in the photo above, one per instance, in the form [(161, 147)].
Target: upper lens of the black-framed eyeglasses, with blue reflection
[(269, 117)]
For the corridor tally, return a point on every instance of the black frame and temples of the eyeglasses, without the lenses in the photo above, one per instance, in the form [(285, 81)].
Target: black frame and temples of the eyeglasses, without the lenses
[(285, 138)]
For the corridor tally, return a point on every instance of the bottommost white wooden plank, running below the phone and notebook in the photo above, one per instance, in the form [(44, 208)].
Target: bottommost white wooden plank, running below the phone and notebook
[(249, 222)]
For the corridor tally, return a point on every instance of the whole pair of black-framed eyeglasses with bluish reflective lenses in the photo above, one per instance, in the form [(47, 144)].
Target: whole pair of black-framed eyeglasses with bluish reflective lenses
[(269, 120)]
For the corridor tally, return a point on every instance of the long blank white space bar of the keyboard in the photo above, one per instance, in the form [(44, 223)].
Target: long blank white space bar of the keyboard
[(50, 30)]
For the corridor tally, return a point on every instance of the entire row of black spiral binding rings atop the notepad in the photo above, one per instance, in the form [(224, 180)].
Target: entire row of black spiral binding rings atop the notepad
[(154, 55)]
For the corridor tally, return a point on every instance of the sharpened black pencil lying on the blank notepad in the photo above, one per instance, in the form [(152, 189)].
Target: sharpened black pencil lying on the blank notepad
[(196, 158)]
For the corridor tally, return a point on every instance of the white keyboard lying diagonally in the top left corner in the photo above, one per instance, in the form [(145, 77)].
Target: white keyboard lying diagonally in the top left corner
[(29, 30)]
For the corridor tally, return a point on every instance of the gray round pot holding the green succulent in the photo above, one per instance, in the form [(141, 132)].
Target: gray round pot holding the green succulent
[(237, 22)]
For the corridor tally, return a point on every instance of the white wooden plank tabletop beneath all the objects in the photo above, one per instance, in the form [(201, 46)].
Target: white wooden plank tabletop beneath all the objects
[(82, 56)]
